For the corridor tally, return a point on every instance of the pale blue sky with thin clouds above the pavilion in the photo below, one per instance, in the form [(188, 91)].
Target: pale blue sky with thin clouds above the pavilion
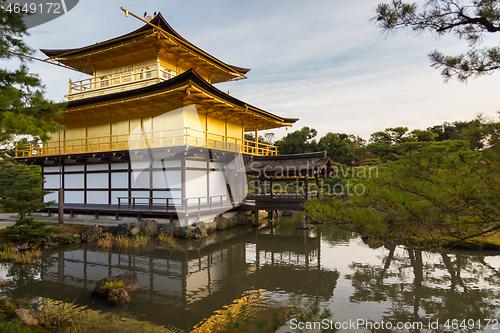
[(322, 61)]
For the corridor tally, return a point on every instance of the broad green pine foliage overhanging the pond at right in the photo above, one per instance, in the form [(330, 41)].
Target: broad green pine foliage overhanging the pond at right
[(435, 189)]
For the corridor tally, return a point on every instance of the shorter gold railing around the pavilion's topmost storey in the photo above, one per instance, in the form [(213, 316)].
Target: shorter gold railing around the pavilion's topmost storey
[(122, 78)]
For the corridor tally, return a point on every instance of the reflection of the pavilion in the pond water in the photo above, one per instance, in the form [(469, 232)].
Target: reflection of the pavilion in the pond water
[(190, 283)]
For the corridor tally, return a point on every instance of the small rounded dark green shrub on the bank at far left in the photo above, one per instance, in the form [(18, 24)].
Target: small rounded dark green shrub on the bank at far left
[(35, 232)]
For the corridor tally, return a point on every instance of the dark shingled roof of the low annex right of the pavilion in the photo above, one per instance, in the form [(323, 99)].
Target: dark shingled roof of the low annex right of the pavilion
[(293, 165)]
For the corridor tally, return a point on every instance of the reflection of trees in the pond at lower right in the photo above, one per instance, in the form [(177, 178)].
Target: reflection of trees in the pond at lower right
[(444, 286)]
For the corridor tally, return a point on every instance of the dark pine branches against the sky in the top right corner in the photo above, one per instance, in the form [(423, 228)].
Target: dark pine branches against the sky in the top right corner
[(470, 20)]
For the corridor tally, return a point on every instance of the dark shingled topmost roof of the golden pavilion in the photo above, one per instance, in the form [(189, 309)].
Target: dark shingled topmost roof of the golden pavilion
[(158, 20)]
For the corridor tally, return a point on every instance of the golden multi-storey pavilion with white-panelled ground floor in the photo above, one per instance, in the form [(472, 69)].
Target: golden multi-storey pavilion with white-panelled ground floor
[(148, 129)]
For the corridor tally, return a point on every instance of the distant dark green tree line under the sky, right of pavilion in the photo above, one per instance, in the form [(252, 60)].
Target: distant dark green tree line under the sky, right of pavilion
[(383, 146)]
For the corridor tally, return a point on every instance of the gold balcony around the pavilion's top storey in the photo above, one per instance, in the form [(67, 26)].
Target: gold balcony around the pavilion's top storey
[(126, 80)]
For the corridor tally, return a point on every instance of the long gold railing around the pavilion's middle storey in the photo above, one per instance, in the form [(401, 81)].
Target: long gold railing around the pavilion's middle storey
[(144, 140)]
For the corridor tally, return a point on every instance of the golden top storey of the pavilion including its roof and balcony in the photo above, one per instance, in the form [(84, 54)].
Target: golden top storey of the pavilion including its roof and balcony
[(151, 54)]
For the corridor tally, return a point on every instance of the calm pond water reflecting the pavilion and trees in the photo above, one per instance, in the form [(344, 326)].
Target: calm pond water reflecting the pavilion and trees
[(197, 283)]
